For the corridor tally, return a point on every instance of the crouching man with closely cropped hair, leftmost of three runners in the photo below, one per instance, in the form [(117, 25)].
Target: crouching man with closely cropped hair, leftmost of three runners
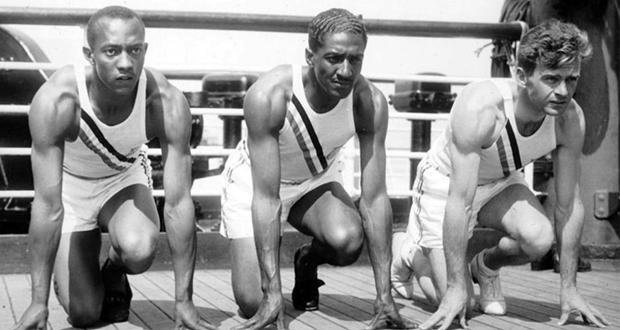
[(89, 127)]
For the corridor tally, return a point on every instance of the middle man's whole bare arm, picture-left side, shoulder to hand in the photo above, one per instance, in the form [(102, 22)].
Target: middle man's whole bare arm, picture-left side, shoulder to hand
[(264, 111)]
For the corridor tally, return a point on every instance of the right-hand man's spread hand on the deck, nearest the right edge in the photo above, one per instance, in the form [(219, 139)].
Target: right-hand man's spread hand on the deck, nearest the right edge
[(571, 301)]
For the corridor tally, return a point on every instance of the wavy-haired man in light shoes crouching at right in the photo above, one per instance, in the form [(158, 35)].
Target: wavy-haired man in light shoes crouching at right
[(473, 172)]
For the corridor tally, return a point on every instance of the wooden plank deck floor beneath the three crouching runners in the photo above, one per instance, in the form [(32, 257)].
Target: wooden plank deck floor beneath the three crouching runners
[(346, 300)]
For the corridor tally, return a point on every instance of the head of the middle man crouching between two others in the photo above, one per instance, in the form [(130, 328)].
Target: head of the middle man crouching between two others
[(337, 40)]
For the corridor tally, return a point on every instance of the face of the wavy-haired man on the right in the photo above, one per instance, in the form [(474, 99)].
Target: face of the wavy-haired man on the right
[(552, 89)]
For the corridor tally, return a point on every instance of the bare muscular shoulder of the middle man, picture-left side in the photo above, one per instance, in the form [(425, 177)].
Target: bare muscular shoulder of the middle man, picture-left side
[(265, 102)]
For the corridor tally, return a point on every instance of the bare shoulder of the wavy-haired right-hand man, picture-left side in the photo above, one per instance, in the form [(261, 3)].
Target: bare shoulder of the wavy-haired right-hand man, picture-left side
[(476, 113)]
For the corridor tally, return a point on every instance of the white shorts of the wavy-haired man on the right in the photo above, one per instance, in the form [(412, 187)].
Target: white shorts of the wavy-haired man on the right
[(430, 195)]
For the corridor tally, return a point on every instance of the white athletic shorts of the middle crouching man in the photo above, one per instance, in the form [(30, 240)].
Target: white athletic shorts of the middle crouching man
[(237, 193)]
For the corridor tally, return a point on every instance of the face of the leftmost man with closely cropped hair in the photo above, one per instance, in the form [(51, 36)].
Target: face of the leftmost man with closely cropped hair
[(118, 53)]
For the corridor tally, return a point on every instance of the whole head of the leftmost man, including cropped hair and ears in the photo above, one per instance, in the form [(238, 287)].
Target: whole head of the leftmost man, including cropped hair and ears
[(116, 47)]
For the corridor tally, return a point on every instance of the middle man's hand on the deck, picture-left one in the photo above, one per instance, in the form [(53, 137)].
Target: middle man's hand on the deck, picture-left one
[(271, 310)]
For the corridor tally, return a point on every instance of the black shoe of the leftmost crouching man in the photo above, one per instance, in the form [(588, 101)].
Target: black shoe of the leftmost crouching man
[(115, 302)]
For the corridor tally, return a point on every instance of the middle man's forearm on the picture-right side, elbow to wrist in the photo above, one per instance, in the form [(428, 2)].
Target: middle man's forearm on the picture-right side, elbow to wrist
[(377, 223)]
